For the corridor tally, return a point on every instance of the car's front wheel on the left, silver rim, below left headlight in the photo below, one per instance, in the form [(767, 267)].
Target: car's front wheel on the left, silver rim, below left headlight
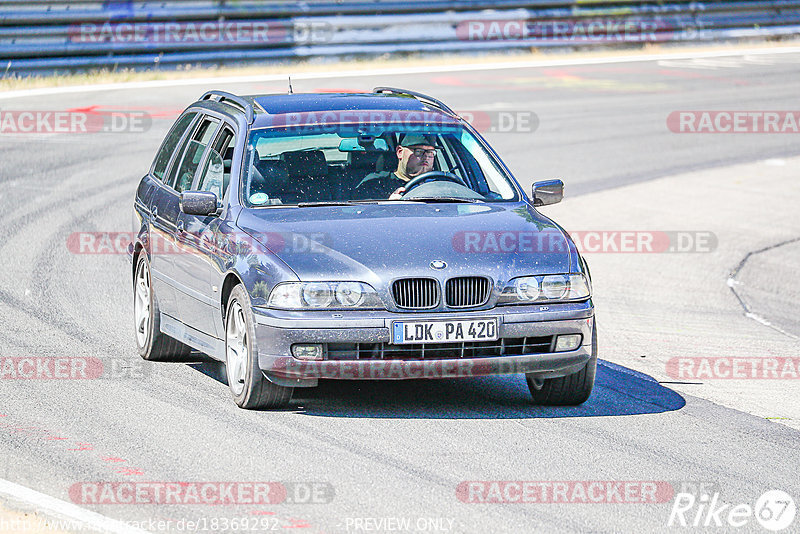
[(250, 388)]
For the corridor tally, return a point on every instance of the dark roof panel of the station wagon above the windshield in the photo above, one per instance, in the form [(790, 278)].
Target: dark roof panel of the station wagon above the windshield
[(268, 107)]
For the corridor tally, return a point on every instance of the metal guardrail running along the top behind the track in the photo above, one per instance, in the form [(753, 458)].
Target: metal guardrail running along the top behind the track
[(79, 34)]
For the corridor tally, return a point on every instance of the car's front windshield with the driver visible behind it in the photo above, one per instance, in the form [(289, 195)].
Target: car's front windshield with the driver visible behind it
[(284, 167)]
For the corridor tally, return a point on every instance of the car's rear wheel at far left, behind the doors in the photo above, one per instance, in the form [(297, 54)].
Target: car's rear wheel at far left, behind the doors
[(153, 345)]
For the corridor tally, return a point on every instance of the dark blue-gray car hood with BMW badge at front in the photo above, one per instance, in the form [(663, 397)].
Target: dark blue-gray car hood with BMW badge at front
[(376, 243)]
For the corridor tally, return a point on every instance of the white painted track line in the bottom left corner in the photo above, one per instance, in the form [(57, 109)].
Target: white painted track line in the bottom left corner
[(63, 511)]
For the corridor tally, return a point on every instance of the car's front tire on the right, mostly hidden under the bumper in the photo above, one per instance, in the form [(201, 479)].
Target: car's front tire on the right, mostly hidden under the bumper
[(570, 390)]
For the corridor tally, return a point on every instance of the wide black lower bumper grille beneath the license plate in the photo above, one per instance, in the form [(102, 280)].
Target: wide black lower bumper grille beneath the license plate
[(439, 351)]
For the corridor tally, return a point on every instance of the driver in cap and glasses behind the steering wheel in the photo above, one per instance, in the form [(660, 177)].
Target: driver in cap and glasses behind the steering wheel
[(415, 154)]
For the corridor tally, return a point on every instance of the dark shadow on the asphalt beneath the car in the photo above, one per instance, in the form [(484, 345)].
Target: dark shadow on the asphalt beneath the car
[(617, 391)]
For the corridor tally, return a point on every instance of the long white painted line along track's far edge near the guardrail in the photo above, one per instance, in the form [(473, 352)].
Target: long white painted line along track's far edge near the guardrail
[(395, 71)]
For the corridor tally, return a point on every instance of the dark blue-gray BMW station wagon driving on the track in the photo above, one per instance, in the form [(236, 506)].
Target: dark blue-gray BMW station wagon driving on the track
[(375, 236)]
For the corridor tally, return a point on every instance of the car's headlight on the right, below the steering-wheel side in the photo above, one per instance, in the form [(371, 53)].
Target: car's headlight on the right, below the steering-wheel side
[(552, 287)]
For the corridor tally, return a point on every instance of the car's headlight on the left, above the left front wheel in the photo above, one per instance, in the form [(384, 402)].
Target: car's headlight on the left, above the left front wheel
[(323, 295)]
